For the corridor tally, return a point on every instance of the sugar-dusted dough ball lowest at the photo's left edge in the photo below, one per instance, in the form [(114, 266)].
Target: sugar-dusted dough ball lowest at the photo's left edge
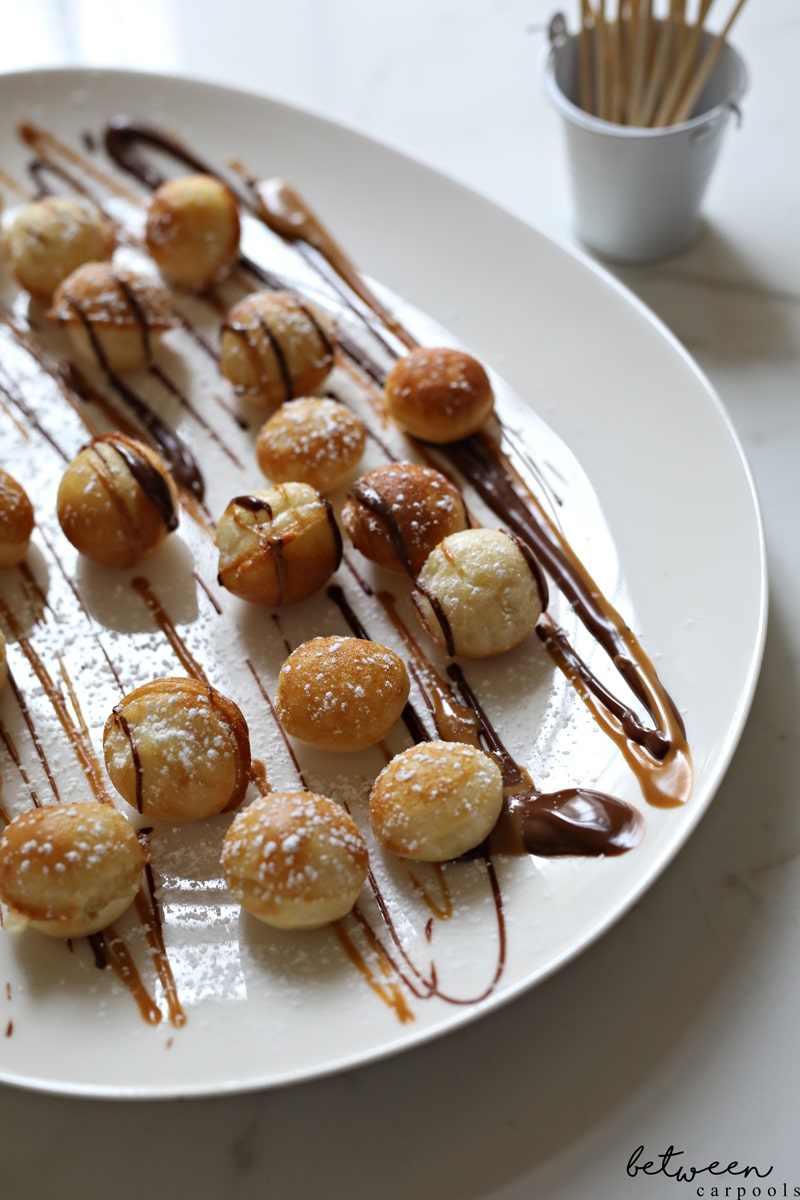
[(71, 869)]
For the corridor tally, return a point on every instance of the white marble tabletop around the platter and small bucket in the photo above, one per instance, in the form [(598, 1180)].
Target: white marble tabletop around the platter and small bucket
[(681, 1027)]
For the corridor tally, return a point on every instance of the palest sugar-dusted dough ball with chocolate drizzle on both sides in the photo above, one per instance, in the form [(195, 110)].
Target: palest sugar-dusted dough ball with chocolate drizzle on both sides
[(480, 593)]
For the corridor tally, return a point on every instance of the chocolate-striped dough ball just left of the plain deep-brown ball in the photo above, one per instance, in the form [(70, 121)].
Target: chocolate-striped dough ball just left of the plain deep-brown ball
[(276, 346)]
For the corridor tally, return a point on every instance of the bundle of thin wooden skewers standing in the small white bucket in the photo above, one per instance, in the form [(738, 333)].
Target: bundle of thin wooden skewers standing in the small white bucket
[(642, 69)]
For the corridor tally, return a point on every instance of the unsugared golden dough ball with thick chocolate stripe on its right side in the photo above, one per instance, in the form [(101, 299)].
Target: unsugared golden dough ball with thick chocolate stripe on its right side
[(117, 501)]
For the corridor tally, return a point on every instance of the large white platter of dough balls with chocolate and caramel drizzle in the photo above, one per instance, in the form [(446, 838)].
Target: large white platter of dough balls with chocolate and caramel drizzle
[(372, 640)]
